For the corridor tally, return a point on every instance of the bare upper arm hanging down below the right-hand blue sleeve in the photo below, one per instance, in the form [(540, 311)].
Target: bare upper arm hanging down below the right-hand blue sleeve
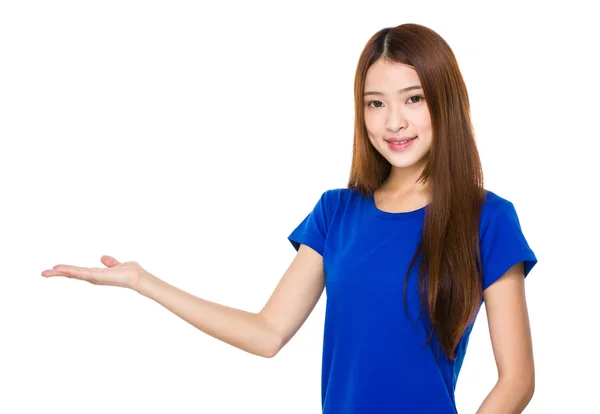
[(508, 322)]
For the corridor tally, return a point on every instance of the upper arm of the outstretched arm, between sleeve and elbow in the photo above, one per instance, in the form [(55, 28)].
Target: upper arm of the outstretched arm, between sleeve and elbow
[(296, 295)]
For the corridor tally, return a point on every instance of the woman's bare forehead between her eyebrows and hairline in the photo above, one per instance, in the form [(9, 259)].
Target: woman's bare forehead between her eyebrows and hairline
[(388, 75)]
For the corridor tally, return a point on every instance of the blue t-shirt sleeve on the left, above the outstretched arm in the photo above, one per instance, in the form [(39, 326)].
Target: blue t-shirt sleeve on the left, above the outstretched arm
[(312, 231)]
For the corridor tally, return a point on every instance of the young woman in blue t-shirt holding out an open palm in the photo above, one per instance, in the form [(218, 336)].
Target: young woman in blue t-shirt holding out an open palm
[(407, 252)]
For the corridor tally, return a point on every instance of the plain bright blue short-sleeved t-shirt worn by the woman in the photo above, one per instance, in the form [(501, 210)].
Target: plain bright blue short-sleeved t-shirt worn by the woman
[(374, 359)]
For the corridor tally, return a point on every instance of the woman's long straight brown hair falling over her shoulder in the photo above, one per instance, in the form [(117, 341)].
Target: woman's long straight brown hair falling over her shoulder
[(450, 273)]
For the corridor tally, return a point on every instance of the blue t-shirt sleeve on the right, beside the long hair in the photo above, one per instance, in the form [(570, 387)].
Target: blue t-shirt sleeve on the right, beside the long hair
[(503, 244)]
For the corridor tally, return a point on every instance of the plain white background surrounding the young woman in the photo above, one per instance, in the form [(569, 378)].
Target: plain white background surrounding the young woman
[(193, 137)]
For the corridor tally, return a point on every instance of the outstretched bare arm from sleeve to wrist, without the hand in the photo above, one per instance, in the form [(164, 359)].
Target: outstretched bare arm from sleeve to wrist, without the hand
[(263, 333)]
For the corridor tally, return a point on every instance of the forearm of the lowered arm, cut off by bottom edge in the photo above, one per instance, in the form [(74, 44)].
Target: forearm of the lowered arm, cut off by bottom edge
[(508, 397)]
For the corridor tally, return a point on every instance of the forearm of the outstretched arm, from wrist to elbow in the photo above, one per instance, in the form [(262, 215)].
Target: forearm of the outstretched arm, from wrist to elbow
[(244, 330)]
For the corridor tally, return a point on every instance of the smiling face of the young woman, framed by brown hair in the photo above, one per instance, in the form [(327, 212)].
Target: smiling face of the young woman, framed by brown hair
[(393, 114)]
